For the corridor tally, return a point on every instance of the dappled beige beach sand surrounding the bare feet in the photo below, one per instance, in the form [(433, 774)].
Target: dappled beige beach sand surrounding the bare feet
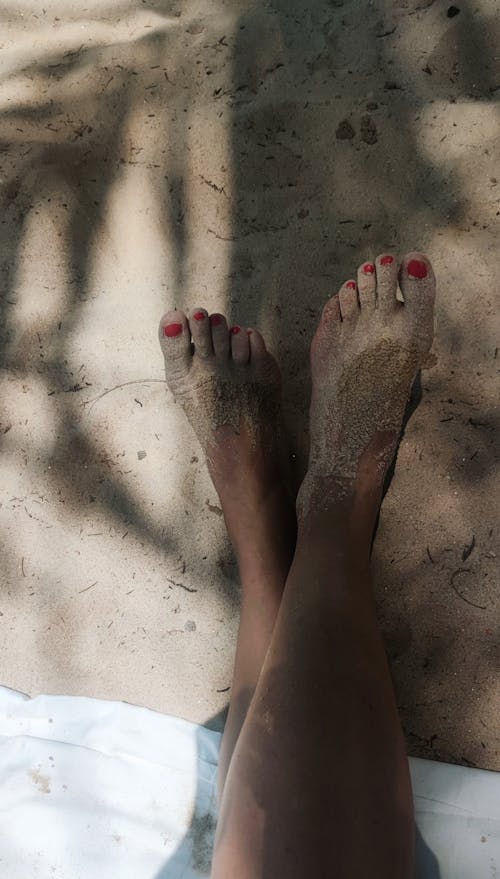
[(243, 156)]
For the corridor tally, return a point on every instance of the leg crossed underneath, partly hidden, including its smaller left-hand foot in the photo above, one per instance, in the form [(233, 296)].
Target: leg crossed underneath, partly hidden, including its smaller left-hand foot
[(230, 388)]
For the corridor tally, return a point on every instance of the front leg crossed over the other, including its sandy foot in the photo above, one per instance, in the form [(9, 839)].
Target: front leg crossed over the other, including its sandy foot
[(318, 784)]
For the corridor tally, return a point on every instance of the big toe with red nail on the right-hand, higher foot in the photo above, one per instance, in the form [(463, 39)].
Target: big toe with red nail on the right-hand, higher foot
[(418, 286)]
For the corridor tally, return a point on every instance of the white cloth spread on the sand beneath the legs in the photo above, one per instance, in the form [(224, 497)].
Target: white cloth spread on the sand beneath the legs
[(90, 789)]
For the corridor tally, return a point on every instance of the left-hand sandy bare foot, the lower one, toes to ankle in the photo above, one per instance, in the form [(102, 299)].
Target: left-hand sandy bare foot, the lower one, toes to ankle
[(229, 387)]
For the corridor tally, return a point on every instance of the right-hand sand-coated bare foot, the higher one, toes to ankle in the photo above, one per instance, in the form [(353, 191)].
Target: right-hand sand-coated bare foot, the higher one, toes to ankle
[(365, 355)]
